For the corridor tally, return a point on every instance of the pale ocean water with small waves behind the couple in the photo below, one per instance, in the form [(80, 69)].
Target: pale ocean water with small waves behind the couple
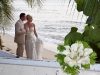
[(53, 21)]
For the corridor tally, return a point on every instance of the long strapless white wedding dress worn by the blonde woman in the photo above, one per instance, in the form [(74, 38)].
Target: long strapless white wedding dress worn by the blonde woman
[(33, 47)]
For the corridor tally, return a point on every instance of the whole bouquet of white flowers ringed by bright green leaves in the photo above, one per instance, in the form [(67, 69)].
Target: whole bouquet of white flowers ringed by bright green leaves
[(78, 55)]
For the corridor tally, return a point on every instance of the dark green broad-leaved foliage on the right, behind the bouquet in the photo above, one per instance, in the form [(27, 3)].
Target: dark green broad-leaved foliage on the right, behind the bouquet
[(91, 33)]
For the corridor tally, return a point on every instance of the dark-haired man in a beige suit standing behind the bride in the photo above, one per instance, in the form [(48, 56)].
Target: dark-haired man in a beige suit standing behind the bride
[(20, 35)]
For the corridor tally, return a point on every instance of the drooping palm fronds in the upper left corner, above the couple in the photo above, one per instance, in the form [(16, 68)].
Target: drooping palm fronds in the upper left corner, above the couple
[(6, 13)]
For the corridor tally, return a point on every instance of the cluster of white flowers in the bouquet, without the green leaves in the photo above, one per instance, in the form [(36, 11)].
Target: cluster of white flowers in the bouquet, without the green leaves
[(77, 55)]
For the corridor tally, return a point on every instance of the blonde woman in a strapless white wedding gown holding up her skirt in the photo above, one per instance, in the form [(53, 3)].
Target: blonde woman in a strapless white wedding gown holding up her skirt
[(30, 43)]
